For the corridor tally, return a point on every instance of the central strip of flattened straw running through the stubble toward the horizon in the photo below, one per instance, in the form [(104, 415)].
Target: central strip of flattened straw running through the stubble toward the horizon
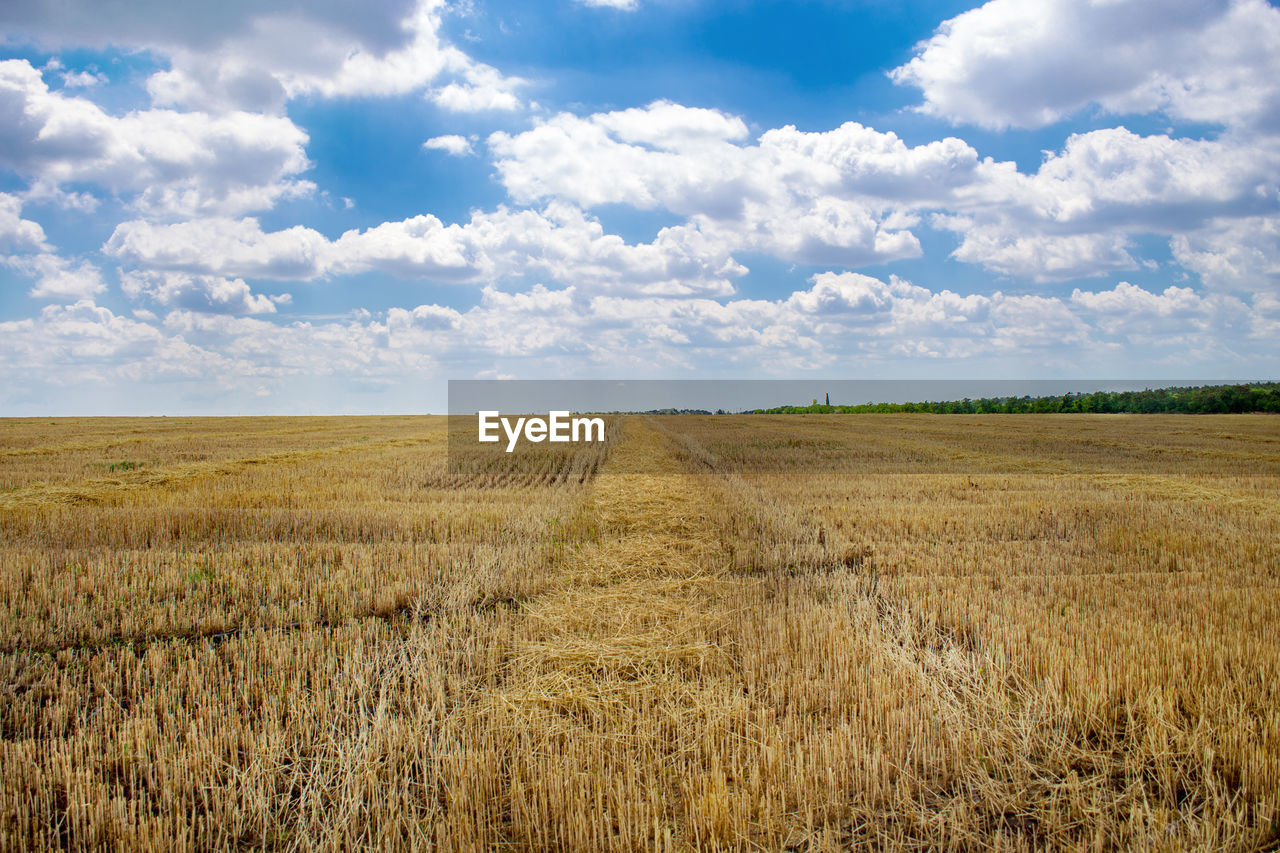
[(612, 703)]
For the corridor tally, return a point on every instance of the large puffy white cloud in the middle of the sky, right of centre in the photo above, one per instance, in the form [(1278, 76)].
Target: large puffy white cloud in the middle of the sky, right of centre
[(835, 198)]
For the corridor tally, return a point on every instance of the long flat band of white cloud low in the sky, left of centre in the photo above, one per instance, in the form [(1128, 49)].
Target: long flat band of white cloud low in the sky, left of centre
[(559, 241)]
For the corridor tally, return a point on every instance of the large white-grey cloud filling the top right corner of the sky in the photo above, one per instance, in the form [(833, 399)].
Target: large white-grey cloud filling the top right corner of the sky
[(1028, 63)]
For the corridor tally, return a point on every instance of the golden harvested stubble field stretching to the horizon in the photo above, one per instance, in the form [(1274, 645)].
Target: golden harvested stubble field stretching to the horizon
[(712, 633)]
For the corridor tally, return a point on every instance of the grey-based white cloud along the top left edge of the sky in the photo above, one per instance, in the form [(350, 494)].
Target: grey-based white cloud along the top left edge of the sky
[(255, 56)]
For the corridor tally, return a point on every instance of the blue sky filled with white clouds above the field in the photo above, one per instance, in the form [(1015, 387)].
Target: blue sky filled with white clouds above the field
[(275, 207)]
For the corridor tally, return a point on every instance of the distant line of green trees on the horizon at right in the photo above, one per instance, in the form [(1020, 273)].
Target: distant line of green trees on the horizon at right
[(1195, 400)]
